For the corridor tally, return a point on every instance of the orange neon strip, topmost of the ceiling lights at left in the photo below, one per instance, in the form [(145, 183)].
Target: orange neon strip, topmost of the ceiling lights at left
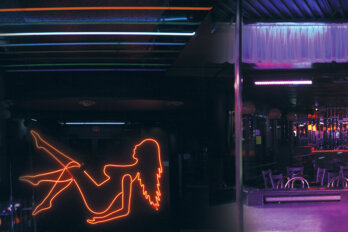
[(107, 8)]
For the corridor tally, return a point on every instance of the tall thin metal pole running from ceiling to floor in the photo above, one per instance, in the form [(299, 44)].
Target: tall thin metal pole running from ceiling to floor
[(238, 117)]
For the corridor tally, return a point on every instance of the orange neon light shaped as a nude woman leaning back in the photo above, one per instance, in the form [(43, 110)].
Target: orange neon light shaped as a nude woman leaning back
[(63, 178)]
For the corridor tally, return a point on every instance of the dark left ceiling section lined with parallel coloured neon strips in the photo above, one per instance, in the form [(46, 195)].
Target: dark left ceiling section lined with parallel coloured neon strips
[(32, 53)]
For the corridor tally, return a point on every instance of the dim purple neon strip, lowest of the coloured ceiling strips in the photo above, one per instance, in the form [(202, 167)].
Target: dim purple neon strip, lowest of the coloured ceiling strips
[(89, 70)]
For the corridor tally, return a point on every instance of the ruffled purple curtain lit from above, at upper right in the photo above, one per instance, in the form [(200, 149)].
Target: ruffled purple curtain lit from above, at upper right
[(295, 43)]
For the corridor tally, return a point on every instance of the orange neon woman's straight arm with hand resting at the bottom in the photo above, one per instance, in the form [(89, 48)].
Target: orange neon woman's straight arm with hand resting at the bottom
[(124, 210)]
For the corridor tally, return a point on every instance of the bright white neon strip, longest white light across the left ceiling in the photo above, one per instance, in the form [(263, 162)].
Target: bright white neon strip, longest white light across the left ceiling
[(97, 33)]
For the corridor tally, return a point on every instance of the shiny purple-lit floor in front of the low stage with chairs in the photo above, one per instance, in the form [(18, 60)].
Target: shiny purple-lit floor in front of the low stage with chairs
[(297, 217)]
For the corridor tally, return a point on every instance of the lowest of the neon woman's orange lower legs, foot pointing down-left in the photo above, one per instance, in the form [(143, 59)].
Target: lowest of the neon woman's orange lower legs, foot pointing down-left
[(58, 186)]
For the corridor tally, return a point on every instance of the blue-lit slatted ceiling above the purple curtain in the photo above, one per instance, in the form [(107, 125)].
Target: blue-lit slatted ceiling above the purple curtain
[(285, 10)]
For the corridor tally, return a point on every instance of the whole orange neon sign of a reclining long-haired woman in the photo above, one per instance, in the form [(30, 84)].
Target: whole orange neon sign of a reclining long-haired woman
[(73, 174)]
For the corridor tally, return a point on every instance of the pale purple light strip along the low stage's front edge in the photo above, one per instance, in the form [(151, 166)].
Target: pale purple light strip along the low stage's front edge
[(304, 198)]
